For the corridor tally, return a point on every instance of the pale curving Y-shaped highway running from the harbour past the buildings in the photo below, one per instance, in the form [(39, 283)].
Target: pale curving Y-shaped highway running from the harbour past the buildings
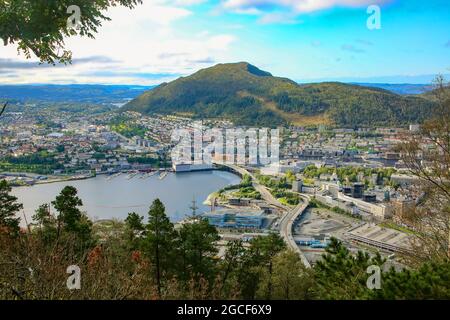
[(289, 215)]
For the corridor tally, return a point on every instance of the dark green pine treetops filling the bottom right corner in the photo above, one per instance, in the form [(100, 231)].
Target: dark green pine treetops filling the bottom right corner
[(341, 275)]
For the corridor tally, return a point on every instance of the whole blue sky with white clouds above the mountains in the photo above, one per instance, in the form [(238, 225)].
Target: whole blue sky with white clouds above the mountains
[(304, 40)]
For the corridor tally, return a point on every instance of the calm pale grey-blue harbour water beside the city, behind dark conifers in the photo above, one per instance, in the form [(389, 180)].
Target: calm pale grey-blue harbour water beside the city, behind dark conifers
[(116, 197)]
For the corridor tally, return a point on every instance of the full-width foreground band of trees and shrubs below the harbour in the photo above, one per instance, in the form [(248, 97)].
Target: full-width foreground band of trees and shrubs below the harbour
[(187, 263)]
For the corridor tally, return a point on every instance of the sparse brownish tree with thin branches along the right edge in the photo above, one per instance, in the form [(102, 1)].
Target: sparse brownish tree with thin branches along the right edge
[(427, 156)]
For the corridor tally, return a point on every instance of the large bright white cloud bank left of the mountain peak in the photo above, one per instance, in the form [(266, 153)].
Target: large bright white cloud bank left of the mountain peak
[(144, 41)]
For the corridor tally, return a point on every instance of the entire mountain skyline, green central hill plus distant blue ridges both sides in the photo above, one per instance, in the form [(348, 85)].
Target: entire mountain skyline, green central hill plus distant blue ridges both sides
[(248, 96)]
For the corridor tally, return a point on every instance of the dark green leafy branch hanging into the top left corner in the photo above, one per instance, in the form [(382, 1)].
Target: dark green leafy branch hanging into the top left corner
[(40, 26)]
